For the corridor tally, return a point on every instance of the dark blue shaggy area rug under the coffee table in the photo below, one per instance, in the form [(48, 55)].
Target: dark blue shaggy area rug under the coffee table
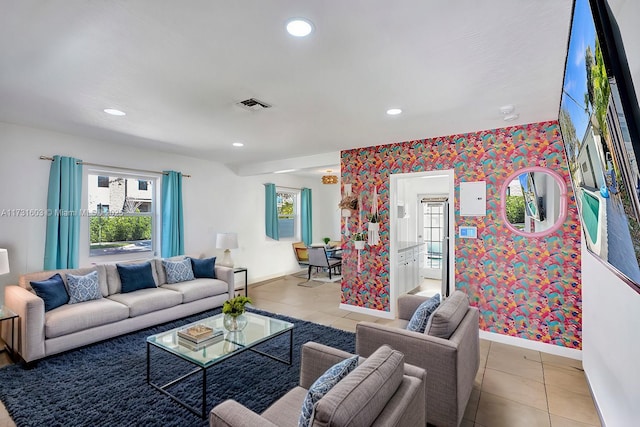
[(104, 384)]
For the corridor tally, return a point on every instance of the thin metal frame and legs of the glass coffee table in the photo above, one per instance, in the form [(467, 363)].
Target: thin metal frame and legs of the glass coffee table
[(202, 367)]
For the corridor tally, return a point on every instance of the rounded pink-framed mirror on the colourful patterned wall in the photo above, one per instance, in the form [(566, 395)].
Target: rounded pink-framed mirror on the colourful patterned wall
[(534, 201)]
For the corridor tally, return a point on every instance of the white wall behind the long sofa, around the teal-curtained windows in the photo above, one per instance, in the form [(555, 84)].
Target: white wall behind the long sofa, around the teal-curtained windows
[(214, 199)]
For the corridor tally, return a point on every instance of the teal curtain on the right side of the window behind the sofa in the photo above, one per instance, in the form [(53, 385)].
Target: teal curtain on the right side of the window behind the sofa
[(172, 215)]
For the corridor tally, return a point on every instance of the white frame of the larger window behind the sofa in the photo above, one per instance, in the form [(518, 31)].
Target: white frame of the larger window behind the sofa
[(85, 245)]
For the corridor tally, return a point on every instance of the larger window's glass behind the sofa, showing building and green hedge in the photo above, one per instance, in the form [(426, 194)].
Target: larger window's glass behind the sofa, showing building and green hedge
[(121, 214)]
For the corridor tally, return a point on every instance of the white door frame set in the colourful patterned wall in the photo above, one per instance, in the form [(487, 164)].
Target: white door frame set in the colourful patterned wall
[(394, 180)]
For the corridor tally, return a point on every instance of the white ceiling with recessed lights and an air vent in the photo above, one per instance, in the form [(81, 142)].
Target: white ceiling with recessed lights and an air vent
[(178, 69)]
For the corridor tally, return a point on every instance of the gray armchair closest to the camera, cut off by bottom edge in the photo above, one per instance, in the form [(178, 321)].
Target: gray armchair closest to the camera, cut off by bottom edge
[(381, 391)]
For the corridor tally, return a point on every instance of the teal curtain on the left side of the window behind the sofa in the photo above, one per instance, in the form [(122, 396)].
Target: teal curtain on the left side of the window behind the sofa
[(62, 240)]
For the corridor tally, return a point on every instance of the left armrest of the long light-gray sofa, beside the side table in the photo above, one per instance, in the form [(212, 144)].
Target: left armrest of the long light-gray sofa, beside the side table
[(30, 308)]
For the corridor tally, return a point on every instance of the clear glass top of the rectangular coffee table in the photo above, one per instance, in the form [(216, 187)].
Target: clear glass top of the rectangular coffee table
[(259, 328)]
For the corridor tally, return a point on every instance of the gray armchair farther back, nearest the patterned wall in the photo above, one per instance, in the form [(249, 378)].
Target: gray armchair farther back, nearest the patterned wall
[(452, 362)]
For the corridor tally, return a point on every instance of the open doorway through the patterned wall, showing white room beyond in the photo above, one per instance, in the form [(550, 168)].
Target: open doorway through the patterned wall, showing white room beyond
[(420, 218)]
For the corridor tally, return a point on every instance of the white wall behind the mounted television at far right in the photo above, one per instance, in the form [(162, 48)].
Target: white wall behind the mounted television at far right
[(610, 308)]
